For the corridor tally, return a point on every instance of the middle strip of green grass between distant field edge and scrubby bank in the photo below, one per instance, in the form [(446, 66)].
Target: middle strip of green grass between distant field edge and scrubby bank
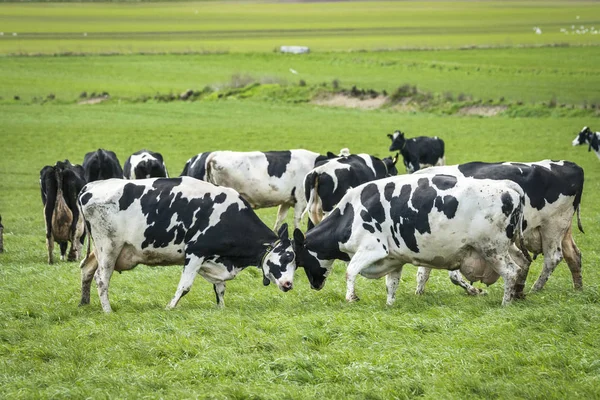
[(570, 75)]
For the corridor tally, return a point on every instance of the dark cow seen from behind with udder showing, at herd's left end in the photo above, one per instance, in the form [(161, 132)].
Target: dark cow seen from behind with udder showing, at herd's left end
[(60, 184)]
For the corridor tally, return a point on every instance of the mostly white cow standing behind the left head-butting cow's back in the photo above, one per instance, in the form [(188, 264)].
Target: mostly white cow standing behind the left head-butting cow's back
[(264, 179)]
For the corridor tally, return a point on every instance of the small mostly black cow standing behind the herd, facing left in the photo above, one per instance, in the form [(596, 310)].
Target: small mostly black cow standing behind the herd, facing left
[(419, 152)]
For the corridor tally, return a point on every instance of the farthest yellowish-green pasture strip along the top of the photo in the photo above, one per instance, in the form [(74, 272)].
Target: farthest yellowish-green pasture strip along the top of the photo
[(263, 26)]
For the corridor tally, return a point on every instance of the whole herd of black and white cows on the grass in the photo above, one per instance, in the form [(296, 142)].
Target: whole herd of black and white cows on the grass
[(480, 221)]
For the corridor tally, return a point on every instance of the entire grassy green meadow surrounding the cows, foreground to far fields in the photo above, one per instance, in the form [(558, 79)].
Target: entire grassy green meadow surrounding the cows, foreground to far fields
[(266, 344)]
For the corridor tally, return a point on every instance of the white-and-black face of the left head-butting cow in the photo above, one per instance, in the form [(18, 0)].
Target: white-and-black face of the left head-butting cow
[(279, 262)]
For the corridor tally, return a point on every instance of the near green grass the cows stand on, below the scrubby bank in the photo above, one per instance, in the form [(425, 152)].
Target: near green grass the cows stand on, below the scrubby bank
[(265, 343)]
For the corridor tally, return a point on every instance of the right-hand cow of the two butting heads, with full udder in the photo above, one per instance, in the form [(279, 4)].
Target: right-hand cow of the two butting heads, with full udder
[(436, 220)]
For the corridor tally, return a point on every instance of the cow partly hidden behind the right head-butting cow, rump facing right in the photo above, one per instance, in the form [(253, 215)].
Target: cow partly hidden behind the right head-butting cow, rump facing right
[(553, 191)]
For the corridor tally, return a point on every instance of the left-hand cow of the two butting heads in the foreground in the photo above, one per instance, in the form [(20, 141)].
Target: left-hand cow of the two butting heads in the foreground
[(164, 221)]
